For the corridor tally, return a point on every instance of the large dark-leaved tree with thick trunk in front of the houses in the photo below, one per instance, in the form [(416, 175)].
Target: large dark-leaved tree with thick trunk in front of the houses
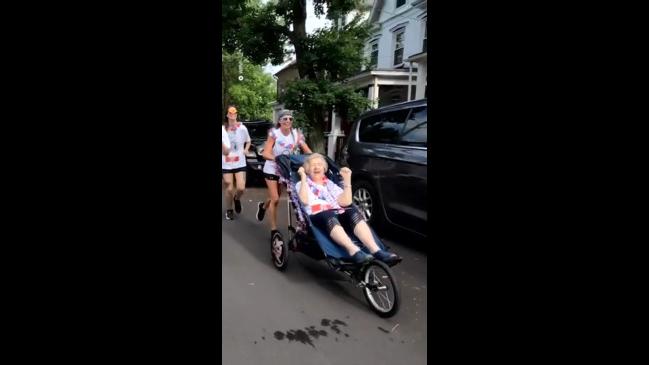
[(323, 59)]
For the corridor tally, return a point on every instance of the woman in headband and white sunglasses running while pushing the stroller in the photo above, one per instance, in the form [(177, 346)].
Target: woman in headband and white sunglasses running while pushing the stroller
[(283, 139)]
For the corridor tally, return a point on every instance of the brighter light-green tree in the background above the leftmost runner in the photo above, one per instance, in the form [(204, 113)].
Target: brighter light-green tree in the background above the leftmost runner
[(252, 95)]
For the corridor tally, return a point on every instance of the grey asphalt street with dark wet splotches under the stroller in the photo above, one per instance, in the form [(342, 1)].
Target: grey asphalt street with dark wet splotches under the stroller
[(310, 314)]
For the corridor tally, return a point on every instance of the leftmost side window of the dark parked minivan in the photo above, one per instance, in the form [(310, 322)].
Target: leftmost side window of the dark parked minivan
[(382, 128)]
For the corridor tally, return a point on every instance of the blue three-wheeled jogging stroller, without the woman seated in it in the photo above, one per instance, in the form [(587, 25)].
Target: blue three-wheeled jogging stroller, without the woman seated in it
[(375, 278)]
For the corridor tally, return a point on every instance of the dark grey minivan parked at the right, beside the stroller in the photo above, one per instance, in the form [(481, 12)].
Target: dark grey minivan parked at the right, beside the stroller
[(387, 151)]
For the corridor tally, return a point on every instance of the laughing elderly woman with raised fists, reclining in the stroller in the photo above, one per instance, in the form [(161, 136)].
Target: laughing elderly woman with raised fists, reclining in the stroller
[(330, 208)]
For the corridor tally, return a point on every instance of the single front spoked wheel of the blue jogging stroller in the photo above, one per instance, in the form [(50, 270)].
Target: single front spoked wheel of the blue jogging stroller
[(381, 291)]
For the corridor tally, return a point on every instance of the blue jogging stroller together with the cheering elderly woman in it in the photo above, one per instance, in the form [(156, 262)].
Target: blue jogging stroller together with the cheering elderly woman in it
[(328, 227)]
